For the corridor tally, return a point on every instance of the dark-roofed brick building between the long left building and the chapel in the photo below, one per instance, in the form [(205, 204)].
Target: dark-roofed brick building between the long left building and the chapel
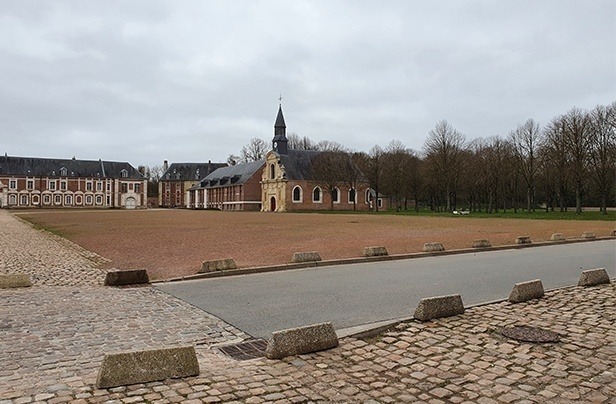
[(178, 178)]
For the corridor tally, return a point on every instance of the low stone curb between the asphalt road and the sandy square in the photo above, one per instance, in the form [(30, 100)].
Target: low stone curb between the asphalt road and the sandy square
[(362, 260)]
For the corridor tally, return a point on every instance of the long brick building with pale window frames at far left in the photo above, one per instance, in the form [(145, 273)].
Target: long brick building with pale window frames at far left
[(28, 182)]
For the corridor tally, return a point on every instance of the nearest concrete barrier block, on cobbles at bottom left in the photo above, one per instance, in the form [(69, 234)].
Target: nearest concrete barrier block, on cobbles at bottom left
[(126, 368)]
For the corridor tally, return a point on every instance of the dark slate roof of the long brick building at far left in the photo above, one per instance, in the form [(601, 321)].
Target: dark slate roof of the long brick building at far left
[(45, 167)]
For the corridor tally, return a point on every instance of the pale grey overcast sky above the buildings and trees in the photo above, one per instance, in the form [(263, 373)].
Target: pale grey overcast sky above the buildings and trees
[(191, 81)]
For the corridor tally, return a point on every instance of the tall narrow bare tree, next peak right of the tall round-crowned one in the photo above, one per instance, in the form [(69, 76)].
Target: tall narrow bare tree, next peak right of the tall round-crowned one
[(526, 140)]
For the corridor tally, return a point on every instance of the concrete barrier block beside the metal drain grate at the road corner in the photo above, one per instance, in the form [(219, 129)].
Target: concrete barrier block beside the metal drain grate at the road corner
[(301, 340)]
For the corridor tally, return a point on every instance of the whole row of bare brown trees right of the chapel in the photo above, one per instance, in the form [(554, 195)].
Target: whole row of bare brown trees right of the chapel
[(571, 161)]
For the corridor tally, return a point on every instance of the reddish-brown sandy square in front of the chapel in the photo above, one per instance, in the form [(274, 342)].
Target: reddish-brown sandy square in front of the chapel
[(171, 243)]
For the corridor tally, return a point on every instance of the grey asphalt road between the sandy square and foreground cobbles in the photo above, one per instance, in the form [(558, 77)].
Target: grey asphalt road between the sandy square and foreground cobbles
[(350, 295)]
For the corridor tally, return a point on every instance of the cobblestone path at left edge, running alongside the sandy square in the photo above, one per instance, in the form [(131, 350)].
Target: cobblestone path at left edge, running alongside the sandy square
[(48, 259)]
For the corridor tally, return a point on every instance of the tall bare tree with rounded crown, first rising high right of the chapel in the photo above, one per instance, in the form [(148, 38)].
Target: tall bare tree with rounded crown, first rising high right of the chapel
[(444, 149)]
